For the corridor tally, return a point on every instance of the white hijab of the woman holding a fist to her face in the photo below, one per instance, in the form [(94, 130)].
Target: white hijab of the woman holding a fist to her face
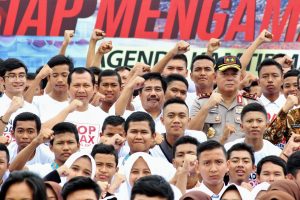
[(69, 162)]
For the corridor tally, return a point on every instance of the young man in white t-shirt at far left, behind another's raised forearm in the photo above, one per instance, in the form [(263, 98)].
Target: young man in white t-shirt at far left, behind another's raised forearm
[(26, 128)]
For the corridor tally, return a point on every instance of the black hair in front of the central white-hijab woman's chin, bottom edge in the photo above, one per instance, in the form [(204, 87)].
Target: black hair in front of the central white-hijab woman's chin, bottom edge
[(152, 186)]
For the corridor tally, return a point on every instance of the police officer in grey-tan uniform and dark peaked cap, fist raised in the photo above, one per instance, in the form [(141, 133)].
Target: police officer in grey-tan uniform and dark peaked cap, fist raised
[(220, 111)]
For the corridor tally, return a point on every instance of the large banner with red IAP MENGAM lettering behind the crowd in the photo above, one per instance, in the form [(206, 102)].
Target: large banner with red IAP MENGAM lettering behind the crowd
[(32, 30)]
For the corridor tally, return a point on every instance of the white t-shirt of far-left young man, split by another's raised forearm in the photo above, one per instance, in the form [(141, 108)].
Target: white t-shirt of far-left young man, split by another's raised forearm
[(42, 155)]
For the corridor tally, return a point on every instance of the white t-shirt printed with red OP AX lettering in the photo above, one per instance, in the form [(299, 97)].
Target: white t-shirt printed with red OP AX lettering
[(89, 124)]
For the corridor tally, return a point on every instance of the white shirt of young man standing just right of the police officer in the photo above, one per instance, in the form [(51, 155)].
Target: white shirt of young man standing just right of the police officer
[(272, 108)]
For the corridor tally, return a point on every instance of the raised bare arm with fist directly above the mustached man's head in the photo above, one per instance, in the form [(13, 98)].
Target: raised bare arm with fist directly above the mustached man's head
[(180, 48)]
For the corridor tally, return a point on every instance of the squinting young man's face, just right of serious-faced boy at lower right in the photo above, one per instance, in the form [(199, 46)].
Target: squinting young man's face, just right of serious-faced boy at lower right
[(240, 166)]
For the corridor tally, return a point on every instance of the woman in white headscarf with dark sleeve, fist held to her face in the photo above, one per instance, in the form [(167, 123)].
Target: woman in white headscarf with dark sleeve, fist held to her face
[(78, 164)]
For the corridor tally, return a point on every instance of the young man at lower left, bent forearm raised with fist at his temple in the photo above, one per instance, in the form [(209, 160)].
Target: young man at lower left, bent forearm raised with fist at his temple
[(64, 141)]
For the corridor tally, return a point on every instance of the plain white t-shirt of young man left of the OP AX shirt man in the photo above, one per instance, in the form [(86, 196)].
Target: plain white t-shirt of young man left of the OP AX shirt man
[(48, 107)]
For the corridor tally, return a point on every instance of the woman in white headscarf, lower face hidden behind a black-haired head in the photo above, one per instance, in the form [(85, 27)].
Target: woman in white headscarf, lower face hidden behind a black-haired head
[(139, 165)]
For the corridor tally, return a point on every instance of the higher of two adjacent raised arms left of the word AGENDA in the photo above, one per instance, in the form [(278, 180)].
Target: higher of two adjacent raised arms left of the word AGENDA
[(96, 36)]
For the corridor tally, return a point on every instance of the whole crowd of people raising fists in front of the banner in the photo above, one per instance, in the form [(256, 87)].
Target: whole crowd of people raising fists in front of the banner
[(204, 130)]
